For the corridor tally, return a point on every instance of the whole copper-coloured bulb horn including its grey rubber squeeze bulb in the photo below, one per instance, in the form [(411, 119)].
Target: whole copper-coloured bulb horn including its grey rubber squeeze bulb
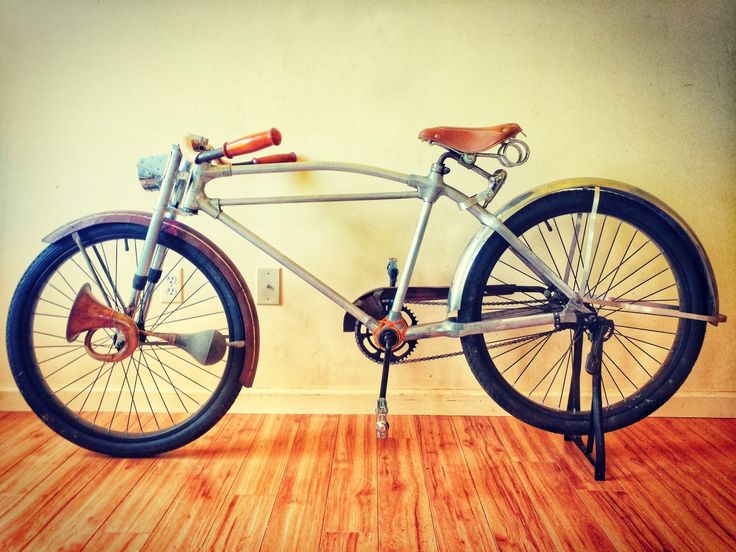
[(89, 315)]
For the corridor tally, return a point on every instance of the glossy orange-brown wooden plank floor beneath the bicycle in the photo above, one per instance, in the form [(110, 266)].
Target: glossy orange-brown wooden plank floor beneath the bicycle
[(281, 483)]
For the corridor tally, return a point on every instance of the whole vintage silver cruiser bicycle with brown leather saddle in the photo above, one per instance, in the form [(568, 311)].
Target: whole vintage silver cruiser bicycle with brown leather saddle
[(581, 305)]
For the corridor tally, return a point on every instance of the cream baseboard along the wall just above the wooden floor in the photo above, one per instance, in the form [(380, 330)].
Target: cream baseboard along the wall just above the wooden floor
[(462, 402)]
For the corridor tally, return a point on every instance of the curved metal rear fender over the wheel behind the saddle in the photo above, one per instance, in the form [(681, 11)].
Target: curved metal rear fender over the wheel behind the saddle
[(466, 260)]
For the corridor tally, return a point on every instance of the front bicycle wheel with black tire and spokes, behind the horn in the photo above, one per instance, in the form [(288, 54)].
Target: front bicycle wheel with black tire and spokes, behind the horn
[(156, 400)]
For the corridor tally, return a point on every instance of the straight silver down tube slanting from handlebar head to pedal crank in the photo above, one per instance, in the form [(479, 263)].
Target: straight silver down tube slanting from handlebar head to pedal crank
[(291, 265)]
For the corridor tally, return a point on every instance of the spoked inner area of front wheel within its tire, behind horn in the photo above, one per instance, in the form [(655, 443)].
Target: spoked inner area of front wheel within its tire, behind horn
[(159, 388)]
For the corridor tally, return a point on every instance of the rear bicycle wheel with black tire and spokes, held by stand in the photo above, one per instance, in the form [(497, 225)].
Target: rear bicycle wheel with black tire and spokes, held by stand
[(647, 358)]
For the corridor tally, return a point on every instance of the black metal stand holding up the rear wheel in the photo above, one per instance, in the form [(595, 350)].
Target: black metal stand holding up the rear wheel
[(600, 331)]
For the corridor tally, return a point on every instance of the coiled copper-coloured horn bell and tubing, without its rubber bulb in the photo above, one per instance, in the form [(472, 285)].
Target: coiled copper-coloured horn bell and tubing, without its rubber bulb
[(89, 315)]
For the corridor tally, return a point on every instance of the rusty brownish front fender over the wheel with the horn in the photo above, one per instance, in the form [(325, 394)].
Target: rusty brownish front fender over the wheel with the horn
[(229, 271)]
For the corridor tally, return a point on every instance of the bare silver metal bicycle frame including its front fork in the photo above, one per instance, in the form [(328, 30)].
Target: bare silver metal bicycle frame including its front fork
[(426, 188)]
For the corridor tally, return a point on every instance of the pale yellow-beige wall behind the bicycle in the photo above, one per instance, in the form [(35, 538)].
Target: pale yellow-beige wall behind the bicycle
[(641, 92)]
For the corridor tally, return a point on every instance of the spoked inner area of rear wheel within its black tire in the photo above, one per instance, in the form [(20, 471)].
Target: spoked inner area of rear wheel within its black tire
[(623, 262)]
